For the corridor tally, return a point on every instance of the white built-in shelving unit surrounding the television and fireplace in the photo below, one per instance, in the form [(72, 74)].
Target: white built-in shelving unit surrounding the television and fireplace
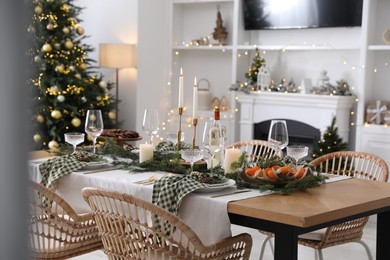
[(350, 54)]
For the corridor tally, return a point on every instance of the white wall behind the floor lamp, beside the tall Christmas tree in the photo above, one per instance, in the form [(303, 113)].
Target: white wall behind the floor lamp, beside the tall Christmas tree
[(107, 21)]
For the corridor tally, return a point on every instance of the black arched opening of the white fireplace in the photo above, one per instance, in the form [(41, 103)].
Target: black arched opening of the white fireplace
[(298, 133)]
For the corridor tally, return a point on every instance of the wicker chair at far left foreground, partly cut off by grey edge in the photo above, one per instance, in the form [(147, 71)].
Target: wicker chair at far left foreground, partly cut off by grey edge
[(56, 231)]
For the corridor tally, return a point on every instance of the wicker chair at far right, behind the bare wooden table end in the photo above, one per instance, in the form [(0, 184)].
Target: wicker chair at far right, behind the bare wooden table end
[(355, 164)]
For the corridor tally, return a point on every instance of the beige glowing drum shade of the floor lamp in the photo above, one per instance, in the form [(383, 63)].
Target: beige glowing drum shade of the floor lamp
[(113, 55)]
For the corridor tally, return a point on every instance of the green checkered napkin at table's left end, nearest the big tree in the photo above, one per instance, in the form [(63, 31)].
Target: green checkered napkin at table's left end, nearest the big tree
[(55, 168)]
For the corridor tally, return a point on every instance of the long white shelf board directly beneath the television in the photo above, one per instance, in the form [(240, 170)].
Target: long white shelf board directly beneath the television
[(297, 47)]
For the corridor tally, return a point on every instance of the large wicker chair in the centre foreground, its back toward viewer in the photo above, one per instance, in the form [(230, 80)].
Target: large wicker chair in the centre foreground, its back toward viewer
[(130, 229)]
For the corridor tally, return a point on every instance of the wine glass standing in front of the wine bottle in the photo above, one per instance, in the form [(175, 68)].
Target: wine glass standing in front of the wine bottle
[(212, 140)]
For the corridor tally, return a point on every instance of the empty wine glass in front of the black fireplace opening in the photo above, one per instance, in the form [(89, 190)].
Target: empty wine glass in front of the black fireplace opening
[(278, 135)]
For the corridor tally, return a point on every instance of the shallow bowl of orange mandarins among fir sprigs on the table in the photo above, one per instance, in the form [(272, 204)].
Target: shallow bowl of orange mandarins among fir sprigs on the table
[(276, 177)]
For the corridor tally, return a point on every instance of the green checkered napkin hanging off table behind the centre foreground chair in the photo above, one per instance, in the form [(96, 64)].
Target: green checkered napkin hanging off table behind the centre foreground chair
[(168, 193)]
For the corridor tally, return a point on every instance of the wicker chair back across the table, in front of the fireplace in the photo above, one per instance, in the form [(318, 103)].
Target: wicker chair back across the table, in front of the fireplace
[(254, 149)]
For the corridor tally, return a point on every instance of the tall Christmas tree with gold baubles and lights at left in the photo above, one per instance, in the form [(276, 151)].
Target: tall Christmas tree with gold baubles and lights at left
[(63, 83)]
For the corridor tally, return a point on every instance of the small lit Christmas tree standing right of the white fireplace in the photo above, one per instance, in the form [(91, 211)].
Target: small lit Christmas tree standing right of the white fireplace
[(331, 142)]
